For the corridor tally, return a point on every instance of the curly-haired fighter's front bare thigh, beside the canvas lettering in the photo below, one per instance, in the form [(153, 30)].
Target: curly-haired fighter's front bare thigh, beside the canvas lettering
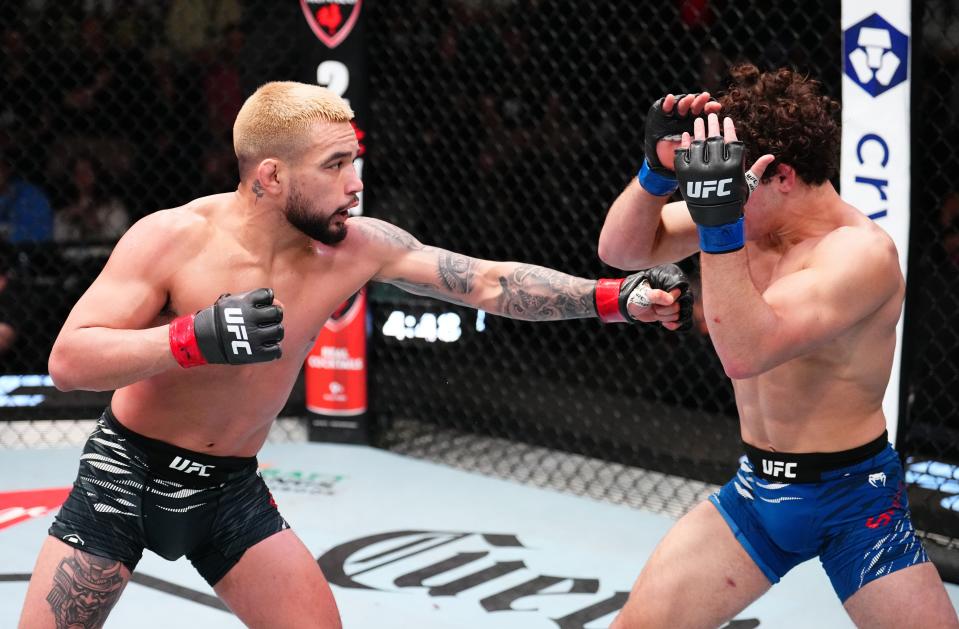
[(698, 576)]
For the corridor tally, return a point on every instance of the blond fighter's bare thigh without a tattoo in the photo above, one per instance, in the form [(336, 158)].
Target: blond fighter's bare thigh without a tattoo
[(277, 585)]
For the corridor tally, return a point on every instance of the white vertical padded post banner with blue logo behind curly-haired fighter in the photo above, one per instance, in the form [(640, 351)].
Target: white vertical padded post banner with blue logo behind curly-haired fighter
[(874, 168)]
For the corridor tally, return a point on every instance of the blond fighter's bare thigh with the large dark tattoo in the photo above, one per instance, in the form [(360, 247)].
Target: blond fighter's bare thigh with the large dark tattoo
[(71, 588)]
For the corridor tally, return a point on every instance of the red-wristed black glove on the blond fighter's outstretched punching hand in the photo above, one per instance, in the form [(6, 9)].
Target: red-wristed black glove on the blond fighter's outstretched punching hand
[(612, 296)]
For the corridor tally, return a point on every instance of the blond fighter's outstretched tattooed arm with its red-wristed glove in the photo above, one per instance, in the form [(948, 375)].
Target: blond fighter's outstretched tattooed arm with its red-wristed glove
[(523, 291)]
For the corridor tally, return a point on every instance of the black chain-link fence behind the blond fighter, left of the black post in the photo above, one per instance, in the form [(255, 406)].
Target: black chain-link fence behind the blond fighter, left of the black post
[(109, 111)]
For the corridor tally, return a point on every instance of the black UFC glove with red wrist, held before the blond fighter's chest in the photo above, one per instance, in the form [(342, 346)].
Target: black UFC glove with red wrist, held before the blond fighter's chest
[(236, 330)]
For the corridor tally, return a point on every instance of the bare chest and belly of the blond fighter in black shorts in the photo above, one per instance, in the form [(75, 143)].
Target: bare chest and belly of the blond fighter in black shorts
[(228, 410)]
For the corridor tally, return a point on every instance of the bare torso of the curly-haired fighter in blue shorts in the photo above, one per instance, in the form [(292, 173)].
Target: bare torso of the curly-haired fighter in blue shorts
[(829, 399)]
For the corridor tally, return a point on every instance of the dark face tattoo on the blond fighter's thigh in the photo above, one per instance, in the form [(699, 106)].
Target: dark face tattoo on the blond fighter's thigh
[(85, 589)]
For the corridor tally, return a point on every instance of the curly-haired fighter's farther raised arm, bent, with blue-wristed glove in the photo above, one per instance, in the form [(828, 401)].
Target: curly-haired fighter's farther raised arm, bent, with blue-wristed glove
[(641, 229)]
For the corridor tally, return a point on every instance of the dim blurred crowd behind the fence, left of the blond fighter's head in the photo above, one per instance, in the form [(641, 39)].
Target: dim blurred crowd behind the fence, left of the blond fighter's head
[(112, 110)]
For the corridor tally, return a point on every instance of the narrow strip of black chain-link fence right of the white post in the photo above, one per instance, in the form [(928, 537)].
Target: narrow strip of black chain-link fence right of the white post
[(930, 434)]
